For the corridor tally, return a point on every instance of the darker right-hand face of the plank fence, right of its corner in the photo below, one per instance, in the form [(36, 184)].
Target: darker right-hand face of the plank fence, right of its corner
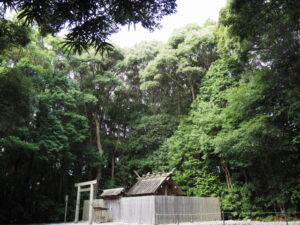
[(176, 209)]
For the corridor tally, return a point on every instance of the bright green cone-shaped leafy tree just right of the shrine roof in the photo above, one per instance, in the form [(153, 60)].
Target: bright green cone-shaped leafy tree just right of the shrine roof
[(191, 149)]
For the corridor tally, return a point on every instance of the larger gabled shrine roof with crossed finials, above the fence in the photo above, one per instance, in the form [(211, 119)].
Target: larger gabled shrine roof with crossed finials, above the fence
[(150, 183)]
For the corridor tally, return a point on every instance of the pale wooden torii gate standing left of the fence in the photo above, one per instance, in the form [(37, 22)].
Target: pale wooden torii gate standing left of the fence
[(91, 190)]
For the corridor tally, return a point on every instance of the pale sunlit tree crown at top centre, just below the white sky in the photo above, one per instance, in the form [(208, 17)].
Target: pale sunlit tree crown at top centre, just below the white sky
[(174, 75)]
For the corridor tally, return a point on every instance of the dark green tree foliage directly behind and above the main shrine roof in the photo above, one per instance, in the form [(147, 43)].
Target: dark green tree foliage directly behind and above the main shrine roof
[(142, 153)]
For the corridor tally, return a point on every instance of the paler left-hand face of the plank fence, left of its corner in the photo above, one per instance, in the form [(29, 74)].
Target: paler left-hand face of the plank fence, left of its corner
[(138, 210)]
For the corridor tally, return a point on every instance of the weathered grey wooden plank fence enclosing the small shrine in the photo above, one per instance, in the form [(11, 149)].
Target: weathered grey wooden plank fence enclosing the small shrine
[(159, 209)]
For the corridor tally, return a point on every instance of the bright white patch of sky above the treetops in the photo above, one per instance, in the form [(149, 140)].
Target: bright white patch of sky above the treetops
[(188, 11)]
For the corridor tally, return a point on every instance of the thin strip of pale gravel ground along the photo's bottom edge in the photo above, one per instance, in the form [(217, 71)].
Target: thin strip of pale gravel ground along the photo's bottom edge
[(228, 222)]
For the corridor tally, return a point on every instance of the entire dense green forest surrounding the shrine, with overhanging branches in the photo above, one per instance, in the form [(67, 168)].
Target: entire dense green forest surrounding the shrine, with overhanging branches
[(220, 102)]
